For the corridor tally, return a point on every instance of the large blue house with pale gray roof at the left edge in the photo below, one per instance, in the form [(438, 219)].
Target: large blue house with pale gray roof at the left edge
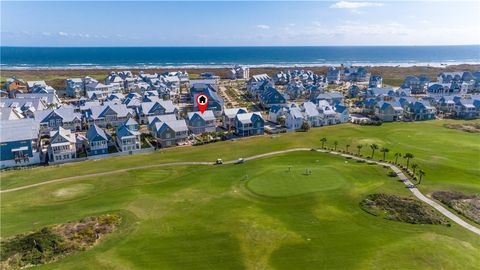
[(19, 143)]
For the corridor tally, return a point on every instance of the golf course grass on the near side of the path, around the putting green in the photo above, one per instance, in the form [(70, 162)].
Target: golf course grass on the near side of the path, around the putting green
[(263, 214)]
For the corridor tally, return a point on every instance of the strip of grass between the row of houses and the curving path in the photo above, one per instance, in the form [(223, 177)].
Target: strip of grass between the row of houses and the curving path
[(450, 158)]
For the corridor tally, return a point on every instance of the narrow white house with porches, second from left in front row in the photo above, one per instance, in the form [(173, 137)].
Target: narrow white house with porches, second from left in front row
[(62, 147)]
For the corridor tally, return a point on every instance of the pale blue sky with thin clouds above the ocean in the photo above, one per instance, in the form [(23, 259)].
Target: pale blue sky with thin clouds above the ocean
[(239, 23)]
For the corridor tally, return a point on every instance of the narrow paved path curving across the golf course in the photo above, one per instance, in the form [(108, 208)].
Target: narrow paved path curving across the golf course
[(400, 174)]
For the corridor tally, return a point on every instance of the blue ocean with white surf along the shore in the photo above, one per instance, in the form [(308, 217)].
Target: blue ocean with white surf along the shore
[(191, 57)]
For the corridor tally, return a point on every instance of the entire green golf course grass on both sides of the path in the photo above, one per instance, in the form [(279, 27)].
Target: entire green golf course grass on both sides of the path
[(297, 210)]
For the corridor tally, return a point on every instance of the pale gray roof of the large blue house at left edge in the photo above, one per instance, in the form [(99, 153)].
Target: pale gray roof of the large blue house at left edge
[(18, 130)]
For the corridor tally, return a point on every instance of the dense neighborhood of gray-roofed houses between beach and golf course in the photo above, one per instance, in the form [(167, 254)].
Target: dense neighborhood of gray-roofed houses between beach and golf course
[(128, 113)]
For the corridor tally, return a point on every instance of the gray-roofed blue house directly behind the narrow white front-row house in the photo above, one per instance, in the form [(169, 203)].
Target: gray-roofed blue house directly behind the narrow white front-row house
[(50, 120)]
